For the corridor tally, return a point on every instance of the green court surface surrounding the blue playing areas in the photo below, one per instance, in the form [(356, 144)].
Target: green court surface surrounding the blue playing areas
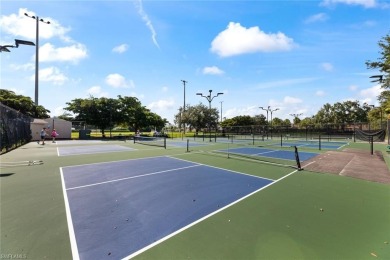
[(302, 215)]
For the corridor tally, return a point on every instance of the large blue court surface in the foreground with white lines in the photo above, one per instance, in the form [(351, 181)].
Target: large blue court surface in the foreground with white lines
[(116, 209)]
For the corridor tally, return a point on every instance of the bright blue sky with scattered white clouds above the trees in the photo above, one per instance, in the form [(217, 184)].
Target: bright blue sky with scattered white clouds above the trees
[(291, 55)]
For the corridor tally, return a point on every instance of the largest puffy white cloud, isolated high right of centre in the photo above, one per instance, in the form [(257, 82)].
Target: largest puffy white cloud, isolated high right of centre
[(236, 40)]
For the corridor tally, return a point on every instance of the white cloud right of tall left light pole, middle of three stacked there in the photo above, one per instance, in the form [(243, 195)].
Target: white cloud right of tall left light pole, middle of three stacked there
[(73, 53)]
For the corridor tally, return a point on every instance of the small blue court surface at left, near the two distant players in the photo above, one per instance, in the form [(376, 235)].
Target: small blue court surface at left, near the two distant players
[(91, 149)]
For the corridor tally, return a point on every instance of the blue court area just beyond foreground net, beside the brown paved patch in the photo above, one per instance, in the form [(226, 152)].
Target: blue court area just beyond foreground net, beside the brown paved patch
[(279, 154)]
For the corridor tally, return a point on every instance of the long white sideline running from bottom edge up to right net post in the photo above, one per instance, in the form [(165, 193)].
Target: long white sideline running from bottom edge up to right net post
[(201, 219)]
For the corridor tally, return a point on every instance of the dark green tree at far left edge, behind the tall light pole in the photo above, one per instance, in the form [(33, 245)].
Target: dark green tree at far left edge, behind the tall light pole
[(23, 104)]
